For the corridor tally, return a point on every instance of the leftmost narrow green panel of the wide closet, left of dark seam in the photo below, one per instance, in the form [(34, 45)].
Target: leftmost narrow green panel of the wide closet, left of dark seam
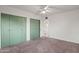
[(5, 30)]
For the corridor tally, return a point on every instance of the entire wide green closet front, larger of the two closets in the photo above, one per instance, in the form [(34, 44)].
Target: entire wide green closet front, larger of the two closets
[(13, 30)]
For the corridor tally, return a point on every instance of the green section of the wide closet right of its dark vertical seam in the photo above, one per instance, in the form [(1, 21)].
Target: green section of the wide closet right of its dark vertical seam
[(17, 30)]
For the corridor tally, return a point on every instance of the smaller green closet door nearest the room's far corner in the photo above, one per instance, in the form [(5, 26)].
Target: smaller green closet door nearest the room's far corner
[(34, 29)]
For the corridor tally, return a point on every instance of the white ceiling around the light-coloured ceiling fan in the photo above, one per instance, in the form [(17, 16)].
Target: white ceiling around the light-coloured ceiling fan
[(52, 8)]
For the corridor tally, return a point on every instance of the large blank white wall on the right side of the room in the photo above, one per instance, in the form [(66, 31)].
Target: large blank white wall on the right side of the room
[(65, 26)]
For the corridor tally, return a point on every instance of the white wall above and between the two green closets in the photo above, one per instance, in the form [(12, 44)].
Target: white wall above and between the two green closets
[(17, 12)]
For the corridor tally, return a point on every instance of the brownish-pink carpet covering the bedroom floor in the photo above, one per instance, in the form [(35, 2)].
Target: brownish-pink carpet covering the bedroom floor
[(43, 45)]
